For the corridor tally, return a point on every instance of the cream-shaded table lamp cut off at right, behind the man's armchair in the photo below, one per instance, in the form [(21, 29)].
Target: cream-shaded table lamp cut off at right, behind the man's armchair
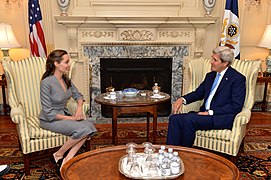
[(266, 43)]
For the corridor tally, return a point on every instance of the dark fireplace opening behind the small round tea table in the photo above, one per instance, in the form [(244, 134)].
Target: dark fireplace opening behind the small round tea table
[(141, 74)]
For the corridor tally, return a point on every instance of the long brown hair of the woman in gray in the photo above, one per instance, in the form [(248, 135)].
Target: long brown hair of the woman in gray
[(55, 56)]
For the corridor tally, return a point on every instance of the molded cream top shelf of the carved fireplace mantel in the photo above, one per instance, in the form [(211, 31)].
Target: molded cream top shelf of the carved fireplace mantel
[(134, 22)]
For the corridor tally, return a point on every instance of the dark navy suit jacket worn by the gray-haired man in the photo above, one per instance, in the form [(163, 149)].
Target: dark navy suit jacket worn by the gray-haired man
[(228, 99)]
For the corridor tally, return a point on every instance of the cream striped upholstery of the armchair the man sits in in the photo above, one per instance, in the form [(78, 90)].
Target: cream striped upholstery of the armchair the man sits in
[(224, 141)]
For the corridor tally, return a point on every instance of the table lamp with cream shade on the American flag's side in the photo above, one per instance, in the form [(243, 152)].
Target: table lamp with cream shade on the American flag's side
[(7, 40)]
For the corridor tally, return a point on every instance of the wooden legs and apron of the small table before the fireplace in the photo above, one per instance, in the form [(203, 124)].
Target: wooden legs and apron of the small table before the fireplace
[(151, 109)]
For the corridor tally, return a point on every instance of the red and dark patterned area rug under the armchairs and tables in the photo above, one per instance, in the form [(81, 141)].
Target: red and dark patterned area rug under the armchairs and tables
[(254, 163)]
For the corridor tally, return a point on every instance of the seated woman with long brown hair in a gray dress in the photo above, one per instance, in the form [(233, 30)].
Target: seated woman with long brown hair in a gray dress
[(55, 90)]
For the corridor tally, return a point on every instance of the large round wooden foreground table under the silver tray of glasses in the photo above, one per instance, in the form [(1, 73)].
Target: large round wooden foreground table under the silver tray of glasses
[(104, 164)]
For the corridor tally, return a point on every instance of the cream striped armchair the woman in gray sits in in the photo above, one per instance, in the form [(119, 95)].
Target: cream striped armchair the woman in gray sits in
[(23, 82)]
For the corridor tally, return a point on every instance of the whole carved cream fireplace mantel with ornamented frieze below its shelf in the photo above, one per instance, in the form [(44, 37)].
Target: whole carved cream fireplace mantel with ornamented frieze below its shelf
[(141, 30)]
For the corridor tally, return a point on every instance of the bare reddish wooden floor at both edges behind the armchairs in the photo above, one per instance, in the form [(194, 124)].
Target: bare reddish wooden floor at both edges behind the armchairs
[(256, 118)]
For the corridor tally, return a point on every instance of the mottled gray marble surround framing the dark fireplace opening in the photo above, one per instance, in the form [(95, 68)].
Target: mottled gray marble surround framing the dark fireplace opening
[(174, 53)]
